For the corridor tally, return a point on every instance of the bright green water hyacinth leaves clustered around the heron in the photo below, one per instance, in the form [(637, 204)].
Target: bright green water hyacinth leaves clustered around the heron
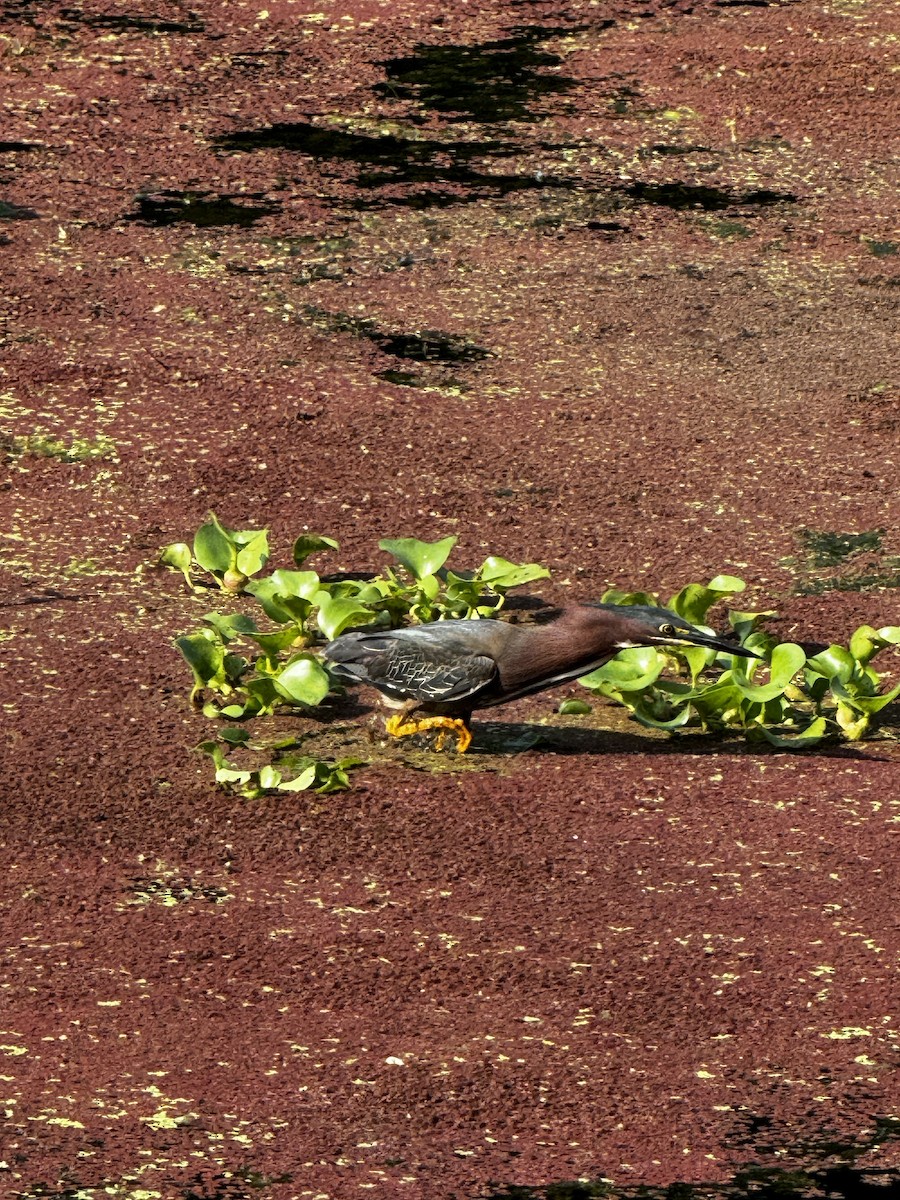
[(243, 669)]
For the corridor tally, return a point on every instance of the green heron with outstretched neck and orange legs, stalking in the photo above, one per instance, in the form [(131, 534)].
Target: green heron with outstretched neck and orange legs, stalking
[(453, 668)]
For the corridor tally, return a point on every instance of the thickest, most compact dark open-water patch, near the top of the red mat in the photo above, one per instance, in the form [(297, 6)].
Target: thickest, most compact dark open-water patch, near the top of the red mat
[(489, 82)]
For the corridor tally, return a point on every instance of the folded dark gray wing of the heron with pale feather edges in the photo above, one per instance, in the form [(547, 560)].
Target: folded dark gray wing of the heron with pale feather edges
[(417, 664)]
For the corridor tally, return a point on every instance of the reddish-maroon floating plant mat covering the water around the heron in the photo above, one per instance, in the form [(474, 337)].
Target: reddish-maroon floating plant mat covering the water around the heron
[(607, 286)]
